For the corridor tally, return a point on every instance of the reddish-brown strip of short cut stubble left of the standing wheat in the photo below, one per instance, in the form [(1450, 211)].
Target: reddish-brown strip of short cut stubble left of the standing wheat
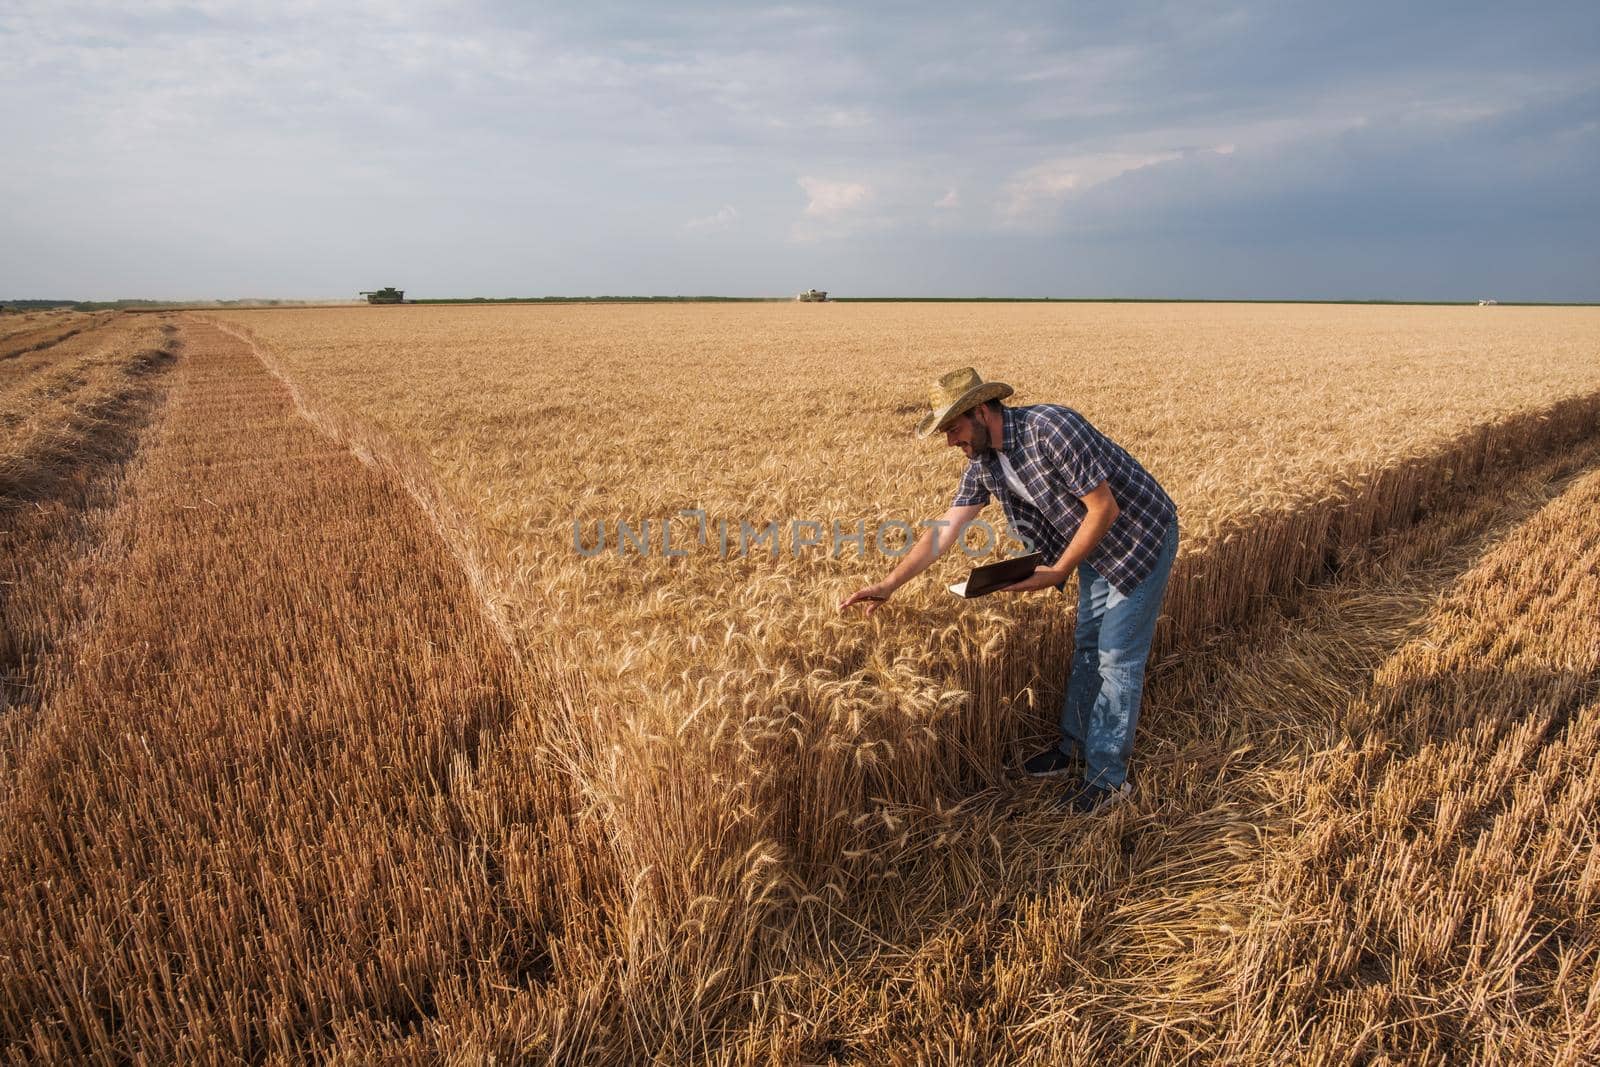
[(244, 821)]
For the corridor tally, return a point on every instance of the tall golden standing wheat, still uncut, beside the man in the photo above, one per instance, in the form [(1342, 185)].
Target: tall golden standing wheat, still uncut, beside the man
[(753, 759)]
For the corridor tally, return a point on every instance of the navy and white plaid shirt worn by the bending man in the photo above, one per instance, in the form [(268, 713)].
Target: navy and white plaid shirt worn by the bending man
[(1060, 458)]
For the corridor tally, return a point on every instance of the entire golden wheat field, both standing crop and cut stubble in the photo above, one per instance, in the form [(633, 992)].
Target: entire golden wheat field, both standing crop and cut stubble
[(425, 780)]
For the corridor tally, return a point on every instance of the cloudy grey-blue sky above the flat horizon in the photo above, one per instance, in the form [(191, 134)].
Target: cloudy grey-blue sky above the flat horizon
[(1193, 150)]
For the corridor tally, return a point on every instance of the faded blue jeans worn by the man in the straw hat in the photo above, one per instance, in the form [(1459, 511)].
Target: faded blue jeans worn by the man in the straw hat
[(1111, 645)]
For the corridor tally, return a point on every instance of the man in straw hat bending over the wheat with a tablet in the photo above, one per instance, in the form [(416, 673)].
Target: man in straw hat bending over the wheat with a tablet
[(1082, 502)]
